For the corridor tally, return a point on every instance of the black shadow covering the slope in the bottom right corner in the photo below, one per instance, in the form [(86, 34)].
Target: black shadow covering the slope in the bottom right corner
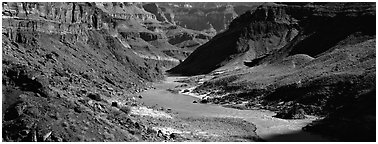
[(353, 122)]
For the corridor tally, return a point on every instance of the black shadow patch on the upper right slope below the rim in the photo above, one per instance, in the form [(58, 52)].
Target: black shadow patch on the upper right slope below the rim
[(326, 32)]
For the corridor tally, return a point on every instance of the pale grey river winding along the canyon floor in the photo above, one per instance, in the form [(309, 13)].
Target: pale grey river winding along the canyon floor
[(268, 128)]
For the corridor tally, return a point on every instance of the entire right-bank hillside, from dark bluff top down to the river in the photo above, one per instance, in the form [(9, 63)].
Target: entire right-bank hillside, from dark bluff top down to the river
[(298, 59)]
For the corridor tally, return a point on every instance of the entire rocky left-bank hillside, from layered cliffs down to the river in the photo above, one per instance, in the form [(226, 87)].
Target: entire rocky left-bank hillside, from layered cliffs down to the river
[(70, 69)]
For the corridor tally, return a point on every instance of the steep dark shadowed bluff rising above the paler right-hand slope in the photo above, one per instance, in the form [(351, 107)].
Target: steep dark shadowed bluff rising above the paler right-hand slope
[(273, 31)]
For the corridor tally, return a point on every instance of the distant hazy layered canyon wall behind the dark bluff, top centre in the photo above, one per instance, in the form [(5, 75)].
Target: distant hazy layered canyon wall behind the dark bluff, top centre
[(211, 17)]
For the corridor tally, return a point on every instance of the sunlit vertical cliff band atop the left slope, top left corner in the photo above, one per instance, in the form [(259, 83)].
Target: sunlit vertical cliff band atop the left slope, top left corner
[(55, 18)]
